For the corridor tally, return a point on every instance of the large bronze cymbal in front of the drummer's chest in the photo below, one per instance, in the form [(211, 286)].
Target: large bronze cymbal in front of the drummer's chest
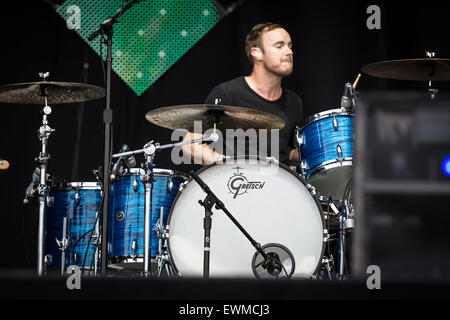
[(225, 117)]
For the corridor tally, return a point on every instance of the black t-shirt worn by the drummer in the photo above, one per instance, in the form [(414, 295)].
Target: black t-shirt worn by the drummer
[(288, 107)]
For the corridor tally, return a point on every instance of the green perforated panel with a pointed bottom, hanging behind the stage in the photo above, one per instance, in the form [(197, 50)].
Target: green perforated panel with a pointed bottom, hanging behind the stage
[(149, 38)]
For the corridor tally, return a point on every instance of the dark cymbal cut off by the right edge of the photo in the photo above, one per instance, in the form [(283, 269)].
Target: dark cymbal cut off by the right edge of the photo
[(410, 69)]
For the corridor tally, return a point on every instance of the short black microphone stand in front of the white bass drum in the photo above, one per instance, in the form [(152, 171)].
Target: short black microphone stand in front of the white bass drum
[(210, 201)]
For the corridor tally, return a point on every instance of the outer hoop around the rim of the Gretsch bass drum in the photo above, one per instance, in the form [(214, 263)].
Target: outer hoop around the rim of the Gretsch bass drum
[(256, 158)]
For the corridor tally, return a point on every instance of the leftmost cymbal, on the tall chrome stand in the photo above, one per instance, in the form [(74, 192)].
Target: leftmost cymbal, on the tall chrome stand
[(56, 92)]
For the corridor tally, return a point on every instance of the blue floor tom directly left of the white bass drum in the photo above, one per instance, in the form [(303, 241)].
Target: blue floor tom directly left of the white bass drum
[(126, 216)]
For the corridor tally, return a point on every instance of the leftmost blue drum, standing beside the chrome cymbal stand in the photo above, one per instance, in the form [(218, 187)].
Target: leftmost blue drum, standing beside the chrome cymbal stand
[(78, 203)]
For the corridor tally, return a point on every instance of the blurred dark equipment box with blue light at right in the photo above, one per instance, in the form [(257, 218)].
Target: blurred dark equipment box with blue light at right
[(401, 185)]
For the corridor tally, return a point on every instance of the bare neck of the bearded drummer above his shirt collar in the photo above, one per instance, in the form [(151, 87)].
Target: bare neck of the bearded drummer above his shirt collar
[(267, 85)]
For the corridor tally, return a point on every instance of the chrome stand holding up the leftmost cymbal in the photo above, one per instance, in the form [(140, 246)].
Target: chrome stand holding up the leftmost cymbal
[(43, 189)]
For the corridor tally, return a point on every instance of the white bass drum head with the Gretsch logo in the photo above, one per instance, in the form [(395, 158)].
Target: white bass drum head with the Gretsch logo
[(271, 202)]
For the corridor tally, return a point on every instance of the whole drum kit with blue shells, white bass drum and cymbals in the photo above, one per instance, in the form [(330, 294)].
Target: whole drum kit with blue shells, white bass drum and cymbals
[(271, 220)]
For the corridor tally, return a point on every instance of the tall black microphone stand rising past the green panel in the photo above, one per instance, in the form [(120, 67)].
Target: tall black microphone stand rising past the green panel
[(106, 28)]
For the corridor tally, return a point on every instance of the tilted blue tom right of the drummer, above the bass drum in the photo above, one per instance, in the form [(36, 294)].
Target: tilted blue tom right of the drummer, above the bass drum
[(325, 146)]
